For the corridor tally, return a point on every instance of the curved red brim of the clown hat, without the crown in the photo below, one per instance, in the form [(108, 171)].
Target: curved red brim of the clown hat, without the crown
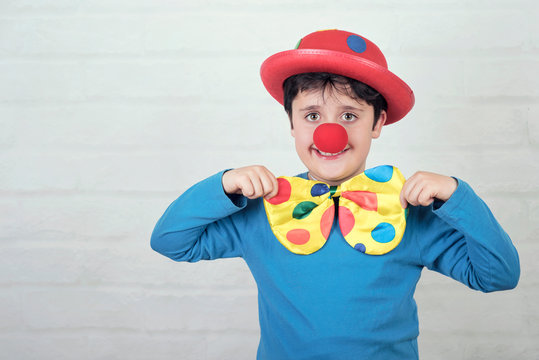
[(277, 68)]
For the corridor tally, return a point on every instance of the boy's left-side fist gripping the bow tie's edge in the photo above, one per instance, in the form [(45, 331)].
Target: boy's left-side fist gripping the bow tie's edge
[(250, 181)]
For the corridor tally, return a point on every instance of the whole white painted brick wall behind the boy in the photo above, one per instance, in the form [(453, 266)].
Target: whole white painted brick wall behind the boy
[(110, 109)]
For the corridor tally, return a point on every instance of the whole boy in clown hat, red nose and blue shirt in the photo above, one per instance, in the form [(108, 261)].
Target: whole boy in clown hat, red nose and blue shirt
[(336, 268)]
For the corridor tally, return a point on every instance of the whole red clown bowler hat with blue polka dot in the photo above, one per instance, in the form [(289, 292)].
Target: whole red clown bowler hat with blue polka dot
[(342, 53)]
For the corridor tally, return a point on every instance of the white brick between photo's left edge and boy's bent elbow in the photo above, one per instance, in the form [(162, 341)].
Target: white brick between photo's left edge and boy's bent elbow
[(74, 219)]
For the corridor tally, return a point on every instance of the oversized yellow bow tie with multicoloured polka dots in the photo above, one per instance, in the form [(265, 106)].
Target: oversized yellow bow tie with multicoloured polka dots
[(371, 218)]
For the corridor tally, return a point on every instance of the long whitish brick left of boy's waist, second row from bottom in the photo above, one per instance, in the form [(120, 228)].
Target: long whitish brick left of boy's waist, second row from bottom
[(135, 309)]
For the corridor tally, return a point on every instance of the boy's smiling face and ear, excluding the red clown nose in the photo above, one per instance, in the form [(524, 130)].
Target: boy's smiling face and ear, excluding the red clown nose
[(312, 108)]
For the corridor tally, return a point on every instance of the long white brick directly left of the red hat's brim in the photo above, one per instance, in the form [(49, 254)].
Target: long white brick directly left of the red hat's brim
[(191, 79)]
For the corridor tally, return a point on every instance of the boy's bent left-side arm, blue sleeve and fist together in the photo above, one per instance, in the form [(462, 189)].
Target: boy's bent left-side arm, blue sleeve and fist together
[(200, 224)]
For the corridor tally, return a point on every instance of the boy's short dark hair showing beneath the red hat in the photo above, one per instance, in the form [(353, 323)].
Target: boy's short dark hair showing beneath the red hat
[(320, 80)]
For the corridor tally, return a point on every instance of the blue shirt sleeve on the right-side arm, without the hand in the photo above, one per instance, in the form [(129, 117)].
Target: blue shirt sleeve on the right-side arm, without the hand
[(461, 239)]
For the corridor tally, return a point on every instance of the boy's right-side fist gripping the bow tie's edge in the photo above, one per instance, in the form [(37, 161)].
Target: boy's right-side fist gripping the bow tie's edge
[(423, 187)]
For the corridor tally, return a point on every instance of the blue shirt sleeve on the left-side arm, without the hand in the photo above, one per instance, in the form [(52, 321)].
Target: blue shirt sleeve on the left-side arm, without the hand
[(198, 225)]
